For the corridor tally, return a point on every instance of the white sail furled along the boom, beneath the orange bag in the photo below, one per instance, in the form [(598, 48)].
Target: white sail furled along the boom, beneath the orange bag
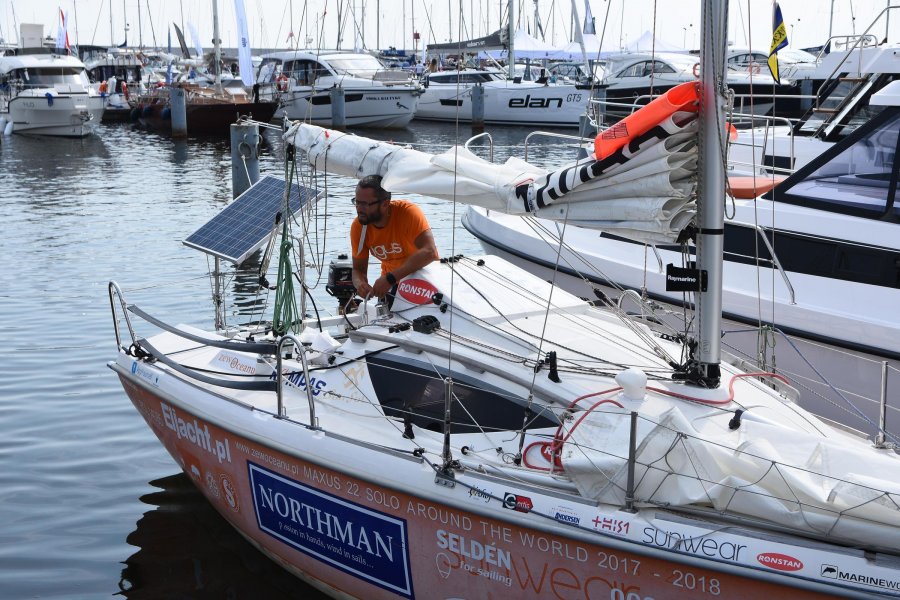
[(644, 191)]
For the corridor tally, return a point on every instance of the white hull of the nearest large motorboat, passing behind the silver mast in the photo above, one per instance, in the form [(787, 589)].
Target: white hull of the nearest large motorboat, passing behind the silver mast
[(855, 315)]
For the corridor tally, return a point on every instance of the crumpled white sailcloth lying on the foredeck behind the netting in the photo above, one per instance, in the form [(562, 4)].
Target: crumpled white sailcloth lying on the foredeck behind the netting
[(763, 469)]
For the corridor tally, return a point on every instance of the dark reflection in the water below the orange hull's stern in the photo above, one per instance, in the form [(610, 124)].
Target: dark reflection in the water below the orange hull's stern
[(185, 549)]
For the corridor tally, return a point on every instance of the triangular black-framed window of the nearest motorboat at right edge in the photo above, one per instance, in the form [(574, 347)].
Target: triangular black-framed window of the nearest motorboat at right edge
[(857, 180)]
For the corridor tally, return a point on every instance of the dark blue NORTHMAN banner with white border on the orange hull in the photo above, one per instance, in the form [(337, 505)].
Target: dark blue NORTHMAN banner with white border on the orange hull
[(360, 541)]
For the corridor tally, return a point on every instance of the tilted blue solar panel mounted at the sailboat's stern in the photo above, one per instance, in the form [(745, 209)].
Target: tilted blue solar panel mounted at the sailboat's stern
[(245, 224)]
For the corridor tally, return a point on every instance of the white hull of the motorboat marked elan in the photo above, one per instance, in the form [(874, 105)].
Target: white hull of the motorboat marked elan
[(507, 103)]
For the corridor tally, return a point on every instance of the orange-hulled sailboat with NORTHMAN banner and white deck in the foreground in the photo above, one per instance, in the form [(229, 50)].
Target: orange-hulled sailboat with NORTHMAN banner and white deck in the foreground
[(489, 435)]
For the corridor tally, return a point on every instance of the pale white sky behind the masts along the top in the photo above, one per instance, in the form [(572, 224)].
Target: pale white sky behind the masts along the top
[(271, 21)]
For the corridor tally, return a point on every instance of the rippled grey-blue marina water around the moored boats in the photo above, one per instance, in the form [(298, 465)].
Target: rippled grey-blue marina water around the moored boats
[(92, 505)]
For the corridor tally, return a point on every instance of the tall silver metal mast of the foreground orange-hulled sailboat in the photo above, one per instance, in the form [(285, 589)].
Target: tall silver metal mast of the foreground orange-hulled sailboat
[(711, 186)]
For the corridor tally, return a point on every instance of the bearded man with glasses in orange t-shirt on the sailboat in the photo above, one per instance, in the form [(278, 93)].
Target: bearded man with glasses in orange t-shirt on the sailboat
[(395, 232)]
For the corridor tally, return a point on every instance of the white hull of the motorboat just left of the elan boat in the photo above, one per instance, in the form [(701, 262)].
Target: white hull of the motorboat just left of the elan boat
[(363, 107)]
